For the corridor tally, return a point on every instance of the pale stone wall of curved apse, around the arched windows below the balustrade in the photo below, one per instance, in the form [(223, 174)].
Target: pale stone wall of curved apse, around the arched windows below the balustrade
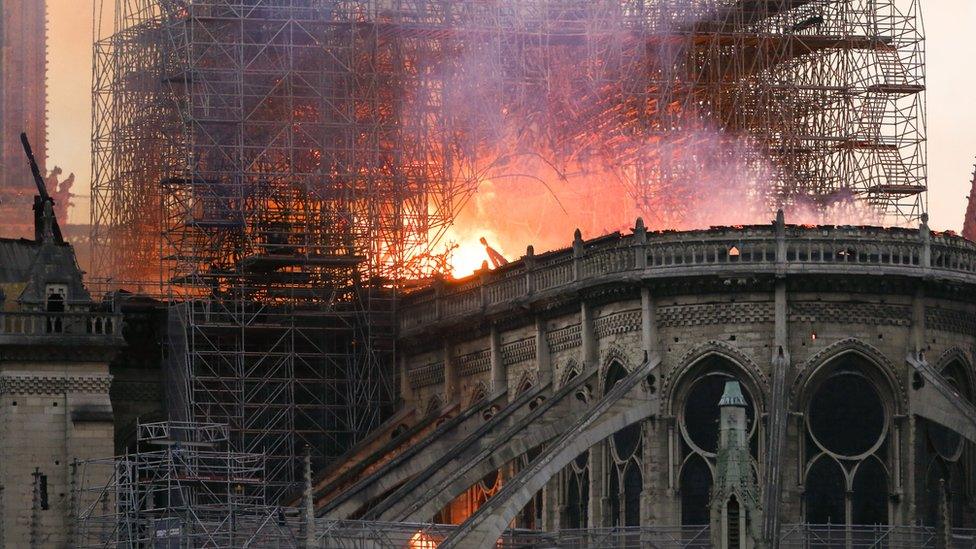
[(739, 326)]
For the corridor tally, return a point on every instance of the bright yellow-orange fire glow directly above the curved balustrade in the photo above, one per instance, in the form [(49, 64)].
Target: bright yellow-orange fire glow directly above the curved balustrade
[(533, 203)]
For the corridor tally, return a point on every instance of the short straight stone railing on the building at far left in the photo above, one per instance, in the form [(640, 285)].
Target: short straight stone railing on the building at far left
[(54, 325)]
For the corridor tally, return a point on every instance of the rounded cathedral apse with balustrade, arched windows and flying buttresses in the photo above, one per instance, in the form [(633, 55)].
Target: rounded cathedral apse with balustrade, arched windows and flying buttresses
[(748, 386)]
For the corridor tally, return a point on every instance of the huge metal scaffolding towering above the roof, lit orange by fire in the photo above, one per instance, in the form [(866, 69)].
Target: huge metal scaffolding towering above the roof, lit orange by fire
[(277, 168)]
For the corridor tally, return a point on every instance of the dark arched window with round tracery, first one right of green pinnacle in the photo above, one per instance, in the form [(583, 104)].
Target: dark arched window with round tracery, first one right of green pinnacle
[(846, 476)]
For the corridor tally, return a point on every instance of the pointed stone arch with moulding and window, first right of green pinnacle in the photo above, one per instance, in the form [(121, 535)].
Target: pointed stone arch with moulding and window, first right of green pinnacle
[(848, 393)]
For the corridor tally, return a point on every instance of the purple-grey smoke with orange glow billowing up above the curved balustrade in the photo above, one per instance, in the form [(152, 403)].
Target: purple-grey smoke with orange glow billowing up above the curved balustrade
[(557, 124)]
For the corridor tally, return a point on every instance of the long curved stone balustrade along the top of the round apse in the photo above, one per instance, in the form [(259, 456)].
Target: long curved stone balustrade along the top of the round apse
[(776, 248)]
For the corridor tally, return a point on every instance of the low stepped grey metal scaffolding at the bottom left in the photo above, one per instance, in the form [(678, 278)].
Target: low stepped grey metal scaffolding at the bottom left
[(182, 487)]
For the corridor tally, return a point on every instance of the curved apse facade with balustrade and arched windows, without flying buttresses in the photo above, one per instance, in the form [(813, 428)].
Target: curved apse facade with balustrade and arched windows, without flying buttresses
[(800, 317)]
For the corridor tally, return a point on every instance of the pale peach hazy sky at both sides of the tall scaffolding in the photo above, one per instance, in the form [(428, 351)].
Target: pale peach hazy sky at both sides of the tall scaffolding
[(950, 26)]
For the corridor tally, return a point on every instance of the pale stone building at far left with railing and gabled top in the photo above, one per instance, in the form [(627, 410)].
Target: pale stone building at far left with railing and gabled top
[(55, 405)]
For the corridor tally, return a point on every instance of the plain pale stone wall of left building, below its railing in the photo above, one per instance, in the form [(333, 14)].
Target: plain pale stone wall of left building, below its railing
[(50, 415)]
